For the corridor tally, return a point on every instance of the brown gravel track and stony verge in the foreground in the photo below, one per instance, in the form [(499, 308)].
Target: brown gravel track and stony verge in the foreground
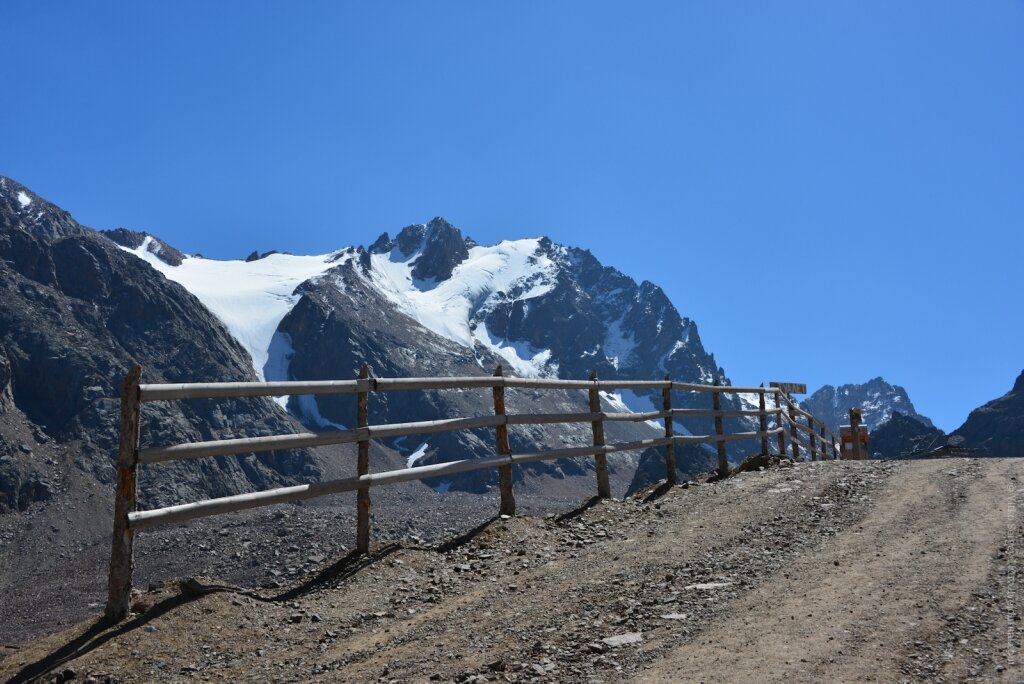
[(834, 572)]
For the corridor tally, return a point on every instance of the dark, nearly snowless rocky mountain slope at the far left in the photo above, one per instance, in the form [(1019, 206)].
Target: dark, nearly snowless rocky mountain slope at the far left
[(78, 313)]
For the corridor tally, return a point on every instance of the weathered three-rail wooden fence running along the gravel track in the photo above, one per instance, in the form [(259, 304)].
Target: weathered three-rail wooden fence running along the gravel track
[(127, 521)]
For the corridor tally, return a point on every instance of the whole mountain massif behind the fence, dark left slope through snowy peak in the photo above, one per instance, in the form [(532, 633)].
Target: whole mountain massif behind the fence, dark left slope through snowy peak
[(82, 307)]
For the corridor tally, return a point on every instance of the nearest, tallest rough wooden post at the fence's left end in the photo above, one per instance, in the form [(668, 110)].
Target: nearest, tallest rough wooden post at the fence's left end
[(122, 554)]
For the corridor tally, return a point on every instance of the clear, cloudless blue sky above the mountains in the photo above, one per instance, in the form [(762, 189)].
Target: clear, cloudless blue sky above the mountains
[(833, 191)]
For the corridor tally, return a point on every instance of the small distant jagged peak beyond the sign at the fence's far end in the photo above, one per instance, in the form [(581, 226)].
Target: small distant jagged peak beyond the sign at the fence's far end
[(877, 399)]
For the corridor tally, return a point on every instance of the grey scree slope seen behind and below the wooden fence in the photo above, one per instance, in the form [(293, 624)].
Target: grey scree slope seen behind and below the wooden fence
[(54, 557)]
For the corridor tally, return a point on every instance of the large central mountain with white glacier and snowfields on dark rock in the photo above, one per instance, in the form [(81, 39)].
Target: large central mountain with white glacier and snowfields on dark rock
[(431, 302)]
